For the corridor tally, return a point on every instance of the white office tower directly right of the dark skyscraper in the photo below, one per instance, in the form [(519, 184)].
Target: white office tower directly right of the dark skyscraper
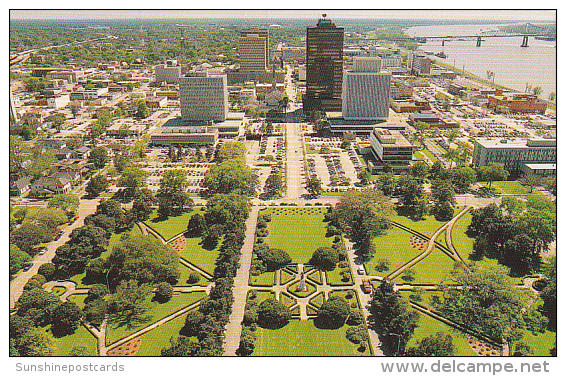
[(365, 95)]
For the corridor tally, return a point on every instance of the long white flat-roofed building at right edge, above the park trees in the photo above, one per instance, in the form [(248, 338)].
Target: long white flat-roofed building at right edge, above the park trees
[(514, 154)]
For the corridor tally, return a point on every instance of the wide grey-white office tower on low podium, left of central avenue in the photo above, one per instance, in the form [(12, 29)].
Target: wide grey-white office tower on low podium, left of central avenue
[(204, 98)]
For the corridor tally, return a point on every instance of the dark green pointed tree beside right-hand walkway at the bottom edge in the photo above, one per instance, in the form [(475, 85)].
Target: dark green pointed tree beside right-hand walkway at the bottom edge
[(392, 319)]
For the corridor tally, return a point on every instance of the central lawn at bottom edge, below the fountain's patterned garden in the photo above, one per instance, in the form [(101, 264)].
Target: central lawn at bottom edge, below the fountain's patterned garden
[(302, 338)]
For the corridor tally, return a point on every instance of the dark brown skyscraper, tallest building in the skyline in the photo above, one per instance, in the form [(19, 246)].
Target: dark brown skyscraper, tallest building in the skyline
[(325, 55)]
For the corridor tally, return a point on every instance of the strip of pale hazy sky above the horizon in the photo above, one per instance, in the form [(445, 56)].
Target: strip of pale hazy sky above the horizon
[(512, 15)]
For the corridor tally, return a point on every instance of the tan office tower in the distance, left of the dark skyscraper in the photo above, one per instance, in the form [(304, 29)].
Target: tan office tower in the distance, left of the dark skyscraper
[(254, 50)]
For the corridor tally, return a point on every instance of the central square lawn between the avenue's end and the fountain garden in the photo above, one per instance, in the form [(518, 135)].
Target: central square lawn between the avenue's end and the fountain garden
[(298, 231)]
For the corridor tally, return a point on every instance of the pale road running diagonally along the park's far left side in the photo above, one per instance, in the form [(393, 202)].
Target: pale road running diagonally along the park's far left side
[(86, 208)]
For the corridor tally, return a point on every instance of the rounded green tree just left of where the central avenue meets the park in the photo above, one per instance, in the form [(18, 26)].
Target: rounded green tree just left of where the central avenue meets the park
[(230, 177)]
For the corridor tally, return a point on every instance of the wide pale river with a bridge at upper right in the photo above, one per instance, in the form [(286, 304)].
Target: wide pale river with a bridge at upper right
[(514, 66)]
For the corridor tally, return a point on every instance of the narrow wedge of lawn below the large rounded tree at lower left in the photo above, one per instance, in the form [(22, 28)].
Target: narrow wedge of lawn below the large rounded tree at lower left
[(156, 312)]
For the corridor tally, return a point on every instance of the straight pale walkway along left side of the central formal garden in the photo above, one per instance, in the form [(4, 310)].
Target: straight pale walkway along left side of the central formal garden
[(240, 290)]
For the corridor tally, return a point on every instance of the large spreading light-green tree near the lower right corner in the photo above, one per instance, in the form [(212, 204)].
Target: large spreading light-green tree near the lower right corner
[(488, 302)]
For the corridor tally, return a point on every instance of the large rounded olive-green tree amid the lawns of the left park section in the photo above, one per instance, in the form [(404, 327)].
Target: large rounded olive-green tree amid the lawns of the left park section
[(144, 259)]
